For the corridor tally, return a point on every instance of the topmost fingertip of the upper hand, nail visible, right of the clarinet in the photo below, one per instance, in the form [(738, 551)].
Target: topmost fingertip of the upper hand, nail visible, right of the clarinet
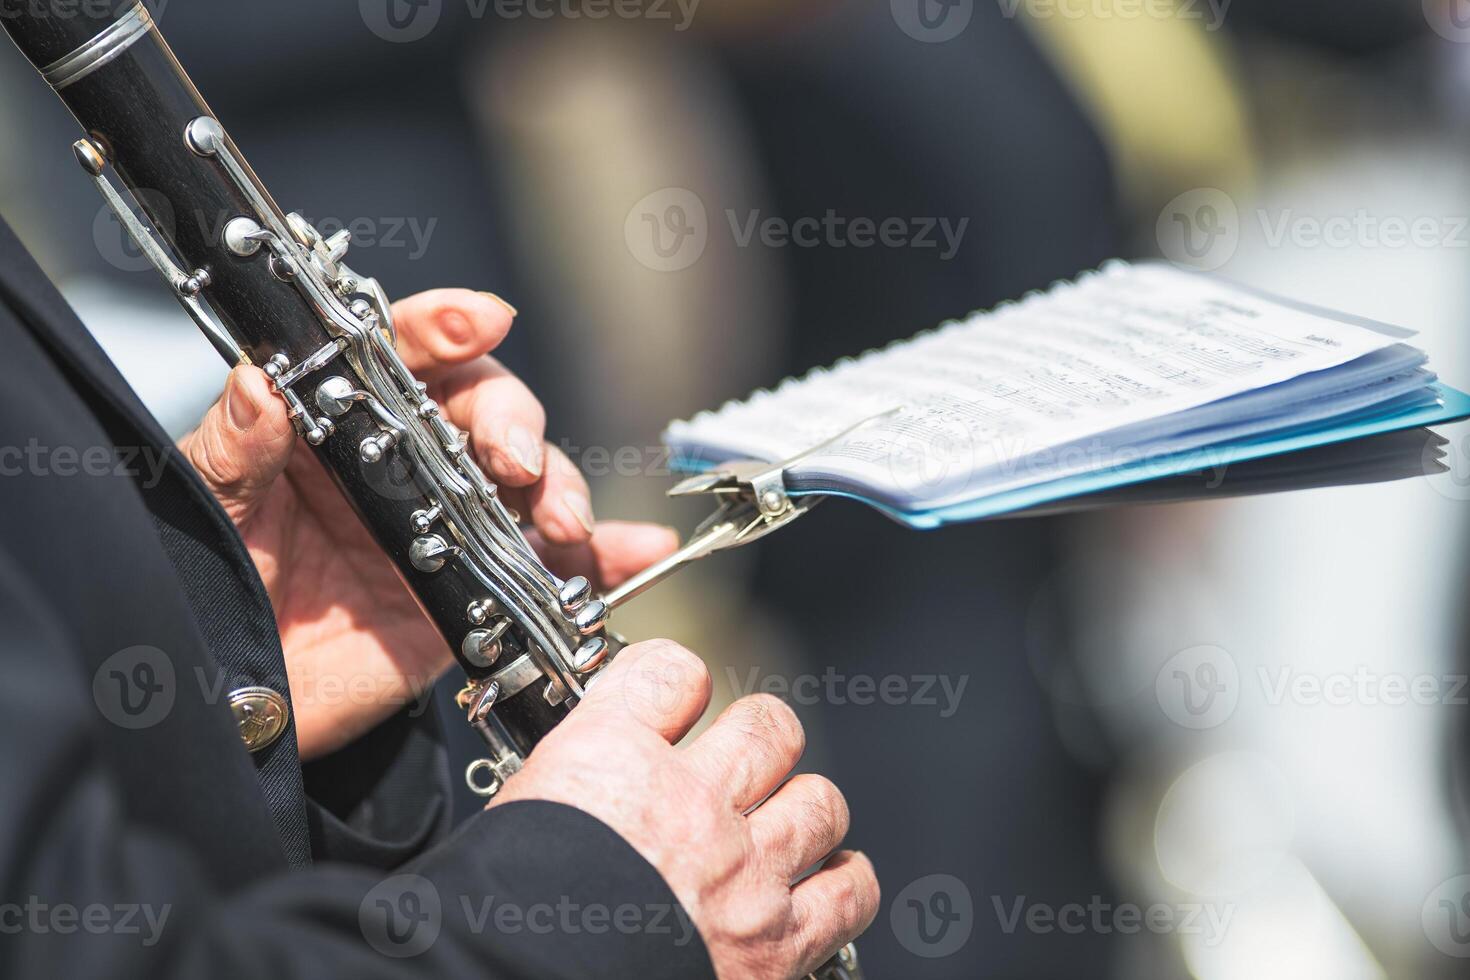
[(443, 328)]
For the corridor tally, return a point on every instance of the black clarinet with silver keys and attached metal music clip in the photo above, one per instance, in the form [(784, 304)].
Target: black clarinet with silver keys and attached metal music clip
[(267, 289)]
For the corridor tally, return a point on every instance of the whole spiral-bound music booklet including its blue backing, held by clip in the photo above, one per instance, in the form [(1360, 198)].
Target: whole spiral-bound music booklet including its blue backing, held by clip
[(1130, 377)]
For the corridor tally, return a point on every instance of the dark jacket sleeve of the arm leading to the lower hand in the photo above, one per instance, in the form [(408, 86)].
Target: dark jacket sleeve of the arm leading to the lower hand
[(530, 890)]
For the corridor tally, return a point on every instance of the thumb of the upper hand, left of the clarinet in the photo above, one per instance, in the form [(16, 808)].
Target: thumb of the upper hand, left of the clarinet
[(243, 444)]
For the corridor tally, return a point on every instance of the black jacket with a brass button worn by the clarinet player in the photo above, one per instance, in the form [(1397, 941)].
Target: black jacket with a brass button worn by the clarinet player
[(139, 837)]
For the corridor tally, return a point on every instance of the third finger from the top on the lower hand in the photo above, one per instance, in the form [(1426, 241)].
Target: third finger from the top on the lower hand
[(802, 824)]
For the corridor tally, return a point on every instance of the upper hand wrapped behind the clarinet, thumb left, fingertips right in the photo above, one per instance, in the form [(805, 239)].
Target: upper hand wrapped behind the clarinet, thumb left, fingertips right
[(356, 644)]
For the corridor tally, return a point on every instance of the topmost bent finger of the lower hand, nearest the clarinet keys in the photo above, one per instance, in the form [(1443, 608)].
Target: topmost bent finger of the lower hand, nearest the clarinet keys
[(655, 685)]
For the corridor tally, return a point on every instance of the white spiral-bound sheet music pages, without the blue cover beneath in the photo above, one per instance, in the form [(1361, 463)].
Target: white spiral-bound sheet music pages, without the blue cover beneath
[(1033, 390)]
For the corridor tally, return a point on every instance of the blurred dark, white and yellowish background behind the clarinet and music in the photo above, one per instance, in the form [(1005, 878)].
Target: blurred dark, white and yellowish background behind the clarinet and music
[(1049, 799)]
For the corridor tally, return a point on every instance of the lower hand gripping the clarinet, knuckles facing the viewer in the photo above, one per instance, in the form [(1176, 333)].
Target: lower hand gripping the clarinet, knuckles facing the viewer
[(689, 810)]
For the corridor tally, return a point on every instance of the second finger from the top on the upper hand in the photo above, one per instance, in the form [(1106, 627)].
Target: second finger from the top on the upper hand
[(506, 422)]
